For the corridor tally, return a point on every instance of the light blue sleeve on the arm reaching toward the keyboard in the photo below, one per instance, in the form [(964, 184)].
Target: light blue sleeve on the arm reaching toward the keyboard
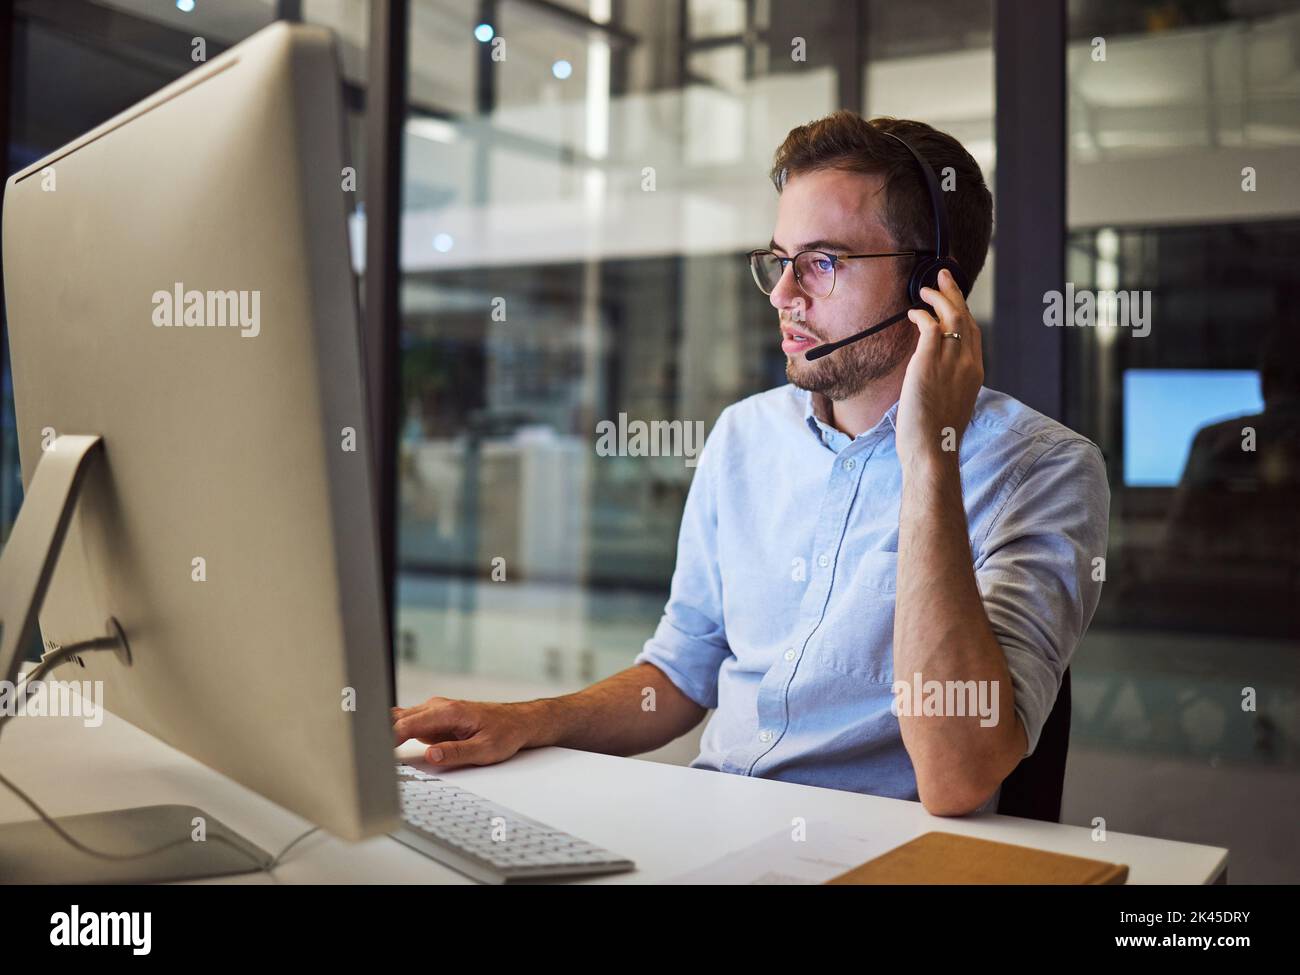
[(690, 644)]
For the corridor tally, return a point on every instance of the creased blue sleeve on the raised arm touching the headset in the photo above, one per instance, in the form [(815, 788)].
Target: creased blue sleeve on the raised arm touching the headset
[(1039, 573)]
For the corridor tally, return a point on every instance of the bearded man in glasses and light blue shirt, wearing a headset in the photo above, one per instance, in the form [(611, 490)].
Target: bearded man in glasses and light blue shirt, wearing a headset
[(883, 517)]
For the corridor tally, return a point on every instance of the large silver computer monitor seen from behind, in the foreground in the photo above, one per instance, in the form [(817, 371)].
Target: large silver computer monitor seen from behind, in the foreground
[(179, 287)]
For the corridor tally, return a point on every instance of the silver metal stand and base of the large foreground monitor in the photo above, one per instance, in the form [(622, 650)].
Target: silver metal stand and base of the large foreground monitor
[(32, 852)]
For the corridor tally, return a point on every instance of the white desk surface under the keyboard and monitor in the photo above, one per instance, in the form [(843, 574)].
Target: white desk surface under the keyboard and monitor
[(668, 818)]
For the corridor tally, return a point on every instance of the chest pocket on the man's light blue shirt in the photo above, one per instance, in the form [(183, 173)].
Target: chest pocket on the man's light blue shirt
[(856, 639)]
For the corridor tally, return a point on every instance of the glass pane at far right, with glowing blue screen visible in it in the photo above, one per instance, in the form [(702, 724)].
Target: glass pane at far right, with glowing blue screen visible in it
[(1185, 222)]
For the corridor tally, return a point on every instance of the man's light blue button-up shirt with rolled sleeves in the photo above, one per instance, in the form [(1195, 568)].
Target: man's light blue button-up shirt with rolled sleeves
[(781, 614)]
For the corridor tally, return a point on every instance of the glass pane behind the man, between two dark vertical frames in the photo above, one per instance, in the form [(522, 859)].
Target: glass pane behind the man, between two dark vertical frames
[(582, 188)]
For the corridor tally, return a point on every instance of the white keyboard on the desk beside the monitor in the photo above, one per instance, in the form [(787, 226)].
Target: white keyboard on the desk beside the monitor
[(488, 842)]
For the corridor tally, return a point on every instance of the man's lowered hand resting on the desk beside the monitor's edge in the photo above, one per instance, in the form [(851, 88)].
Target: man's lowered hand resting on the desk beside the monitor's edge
[(465, 733)]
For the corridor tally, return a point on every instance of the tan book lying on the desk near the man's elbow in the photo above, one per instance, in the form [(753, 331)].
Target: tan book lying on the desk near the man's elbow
[(948, 859)]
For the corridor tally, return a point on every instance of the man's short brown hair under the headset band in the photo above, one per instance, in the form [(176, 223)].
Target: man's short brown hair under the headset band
[(847, 141)]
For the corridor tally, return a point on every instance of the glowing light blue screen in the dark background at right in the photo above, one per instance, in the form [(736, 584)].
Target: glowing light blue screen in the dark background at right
[(1164, 410)]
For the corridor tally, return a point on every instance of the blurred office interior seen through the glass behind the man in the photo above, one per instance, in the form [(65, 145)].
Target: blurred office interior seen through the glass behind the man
[(571, 235)]
